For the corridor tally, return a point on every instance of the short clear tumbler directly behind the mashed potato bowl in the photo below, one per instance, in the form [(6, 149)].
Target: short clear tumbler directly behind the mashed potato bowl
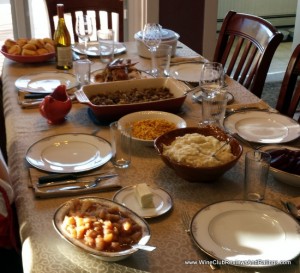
[(213, 107)]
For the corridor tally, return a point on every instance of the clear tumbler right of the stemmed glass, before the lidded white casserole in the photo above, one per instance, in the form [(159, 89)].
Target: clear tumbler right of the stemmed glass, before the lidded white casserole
[(161, 58)]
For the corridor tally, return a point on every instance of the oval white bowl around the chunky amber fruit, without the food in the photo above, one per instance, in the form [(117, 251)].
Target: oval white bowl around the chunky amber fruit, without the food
[(105, 203)]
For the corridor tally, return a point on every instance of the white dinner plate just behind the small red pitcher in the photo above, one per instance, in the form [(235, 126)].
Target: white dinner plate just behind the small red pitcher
[(46, 82)]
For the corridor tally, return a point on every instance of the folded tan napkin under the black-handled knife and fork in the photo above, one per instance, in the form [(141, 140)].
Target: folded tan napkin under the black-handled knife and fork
[(105, 185)]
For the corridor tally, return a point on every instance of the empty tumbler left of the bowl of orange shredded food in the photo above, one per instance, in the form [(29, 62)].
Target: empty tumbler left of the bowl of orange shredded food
[(121, 144)]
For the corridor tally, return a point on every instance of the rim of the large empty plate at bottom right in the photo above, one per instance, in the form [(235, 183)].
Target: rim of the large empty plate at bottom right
[(243, 202)]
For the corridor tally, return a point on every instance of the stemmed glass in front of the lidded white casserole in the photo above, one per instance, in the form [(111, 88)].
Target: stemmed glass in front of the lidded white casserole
[(152, 39)]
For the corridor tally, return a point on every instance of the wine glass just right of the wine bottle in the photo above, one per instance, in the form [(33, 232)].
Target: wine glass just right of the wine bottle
[(84, 29)]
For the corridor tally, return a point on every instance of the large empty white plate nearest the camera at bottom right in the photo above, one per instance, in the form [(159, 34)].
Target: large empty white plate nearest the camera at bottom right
[(246, 233)]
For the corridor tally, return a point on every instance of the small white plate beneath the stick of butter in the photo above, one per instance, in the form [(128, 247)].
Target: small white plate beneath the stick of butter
[(161, 199)]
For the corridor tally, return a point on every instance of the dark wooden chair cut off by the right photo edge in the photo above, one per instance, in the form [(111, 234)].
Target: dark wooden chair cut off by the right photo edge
[(289, 95)]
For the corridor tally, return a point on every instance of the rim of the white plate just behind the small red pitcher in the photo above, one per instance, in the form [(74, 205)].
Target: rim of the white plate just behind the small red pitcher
[(23, 78)]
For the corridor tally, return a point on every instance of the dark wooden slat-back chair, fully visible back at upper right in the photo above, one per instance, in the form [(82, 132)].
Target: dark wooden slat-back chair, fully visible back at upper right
[(245, 46)]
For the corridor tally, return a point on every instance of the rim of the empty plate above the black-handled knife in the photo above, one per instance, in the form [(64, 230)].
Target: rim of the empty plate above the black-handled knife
[(43, 168)]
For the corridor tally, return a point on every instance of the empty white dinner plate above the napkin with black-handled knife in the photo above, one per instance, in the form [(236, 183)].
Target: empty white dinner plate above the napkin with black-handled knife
[(69, 153)]
